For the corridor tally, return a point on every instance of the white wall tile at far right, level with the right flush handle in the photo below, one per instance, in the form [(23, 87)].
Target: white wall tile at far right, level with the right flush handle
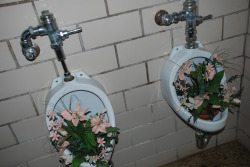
[(235, 24)]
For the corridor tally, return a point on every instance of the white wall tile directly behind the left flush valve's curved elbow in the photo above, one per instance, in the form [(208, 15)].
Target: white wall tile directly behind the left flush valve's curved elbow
[(70, 45)]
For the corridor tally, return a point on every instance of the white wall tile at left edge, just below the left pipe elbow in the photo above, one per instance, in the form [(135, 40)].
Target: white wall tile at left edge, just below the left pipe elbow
[(26, 79)]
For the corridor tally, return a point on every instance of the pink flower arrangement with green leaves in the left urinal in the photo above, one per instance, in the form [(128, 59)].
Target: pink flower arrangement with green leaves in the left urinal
[(88, 140)]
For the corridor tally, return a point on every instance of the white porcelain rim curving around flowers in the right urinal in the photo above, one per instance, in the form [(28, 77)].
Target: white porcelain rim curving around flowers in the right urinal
[(172, 98)]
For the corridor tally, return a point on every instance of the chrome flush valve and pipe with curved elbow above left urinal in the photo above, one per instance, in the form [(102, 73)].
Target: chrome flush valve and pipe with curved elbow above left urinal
[(48, 27)]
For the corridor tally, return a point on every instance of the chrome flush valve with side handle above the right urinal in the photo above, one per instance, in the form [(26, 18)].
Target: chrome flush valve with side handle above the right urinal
[(188, 14)]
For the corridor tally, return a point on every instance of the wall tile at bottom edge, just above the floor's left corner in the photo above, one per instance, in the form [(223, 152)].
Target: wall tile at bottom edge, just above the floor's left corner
[(158, 159)]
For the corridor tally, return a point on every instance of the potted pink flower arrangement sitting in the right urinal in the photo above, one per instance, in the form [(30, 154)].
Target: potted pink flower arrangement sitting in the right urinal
[(200, 89)]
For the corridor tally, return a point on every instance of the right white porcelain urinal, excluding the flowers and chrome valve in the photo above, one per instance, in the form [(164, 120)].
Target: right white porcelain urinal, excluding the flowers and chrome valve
[(178, 56)]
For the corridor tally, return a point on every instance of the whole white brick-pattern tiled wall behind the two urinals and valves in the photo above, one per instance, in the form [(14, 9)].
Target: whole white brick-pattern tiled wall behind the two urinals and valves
[(123, 49)]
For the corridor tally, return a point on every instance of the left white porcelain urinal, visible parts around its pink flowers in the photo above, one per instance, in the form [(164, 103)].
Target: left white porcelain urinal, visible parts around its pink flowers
[(89, 93)]
